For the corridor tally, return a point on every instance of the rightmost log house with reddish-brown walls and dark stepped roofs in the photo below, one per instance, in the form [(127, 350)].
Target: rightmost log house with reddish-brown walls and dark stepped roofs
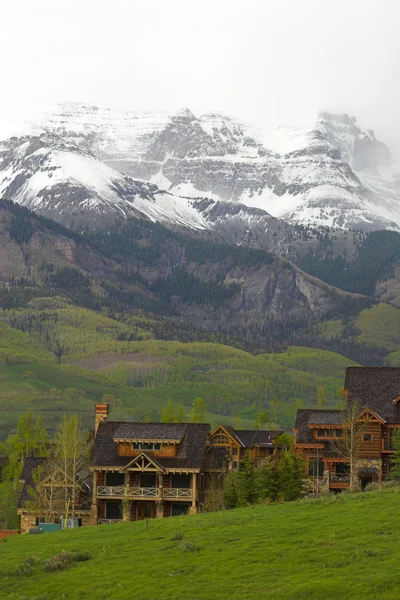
[(373, 413)]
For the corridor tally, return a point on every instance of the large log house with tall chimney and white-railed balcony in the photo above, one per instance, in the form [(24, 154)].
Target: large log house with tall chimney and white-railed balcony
[(146, 470)]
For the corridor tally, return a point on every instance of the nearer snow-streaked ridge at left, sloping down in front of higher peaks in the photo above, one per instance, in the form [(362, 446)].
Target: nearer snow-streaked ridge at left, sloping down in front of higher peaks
[(52, 176)]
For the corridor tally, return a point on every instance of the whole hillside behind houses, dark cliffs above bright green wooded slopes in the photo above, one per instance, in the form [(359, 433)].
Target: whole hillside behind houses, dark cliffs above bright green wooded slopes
[(144, 315)]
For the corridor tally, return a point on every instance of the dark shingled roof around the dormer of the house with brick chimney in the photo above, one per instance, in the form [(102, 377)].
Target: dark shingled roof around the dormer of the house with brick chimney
[(189, 454)]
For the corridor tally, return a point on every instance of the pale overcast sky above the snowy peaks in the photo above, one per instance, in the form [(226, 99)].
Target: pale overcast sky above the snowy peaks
[(265, 61)]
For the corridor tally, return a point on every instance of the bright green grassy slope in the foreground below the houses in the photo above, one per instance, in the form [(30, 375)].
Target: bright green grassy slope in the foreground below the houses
[(346, 547)]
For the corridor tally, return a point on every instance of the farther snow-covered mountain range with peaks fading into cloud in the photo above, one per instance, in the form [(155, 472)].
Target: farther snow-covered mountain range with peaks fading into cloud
[(327, 170)]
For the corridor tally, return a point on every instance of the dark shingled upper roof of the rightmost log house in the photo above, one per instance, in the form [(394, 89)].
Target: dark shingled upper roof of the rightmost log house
[(375, 388)]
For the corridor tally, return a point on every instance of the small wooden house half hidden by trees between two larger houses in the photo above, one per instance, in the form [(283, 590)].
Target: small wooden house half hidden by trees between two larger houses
[(257, 442)]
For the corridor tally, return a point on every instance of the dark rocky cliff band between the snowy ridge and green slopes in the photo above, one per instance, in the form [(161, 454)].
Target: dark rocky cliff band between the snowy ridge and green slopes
[(271, 298)]
